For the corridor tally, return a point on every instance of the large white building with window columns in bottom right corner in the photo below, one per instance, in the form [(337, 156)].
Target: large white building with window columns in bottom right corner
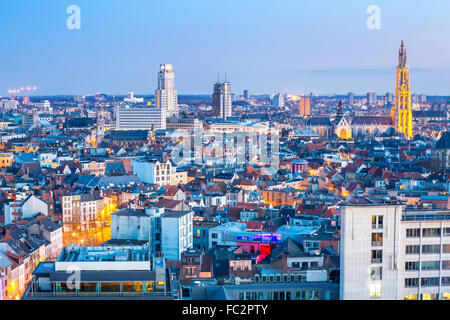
[(391, 254)]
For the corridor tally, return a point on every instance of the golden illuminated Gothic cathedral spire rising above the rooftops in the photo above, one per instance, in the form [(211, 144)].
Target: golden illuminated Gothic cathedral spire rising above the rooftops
[(401, 111)]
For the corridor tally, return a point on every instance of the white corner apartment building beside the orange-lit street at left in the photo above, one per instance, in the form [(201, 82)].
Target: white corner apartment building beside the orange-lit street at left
[(80, 211)]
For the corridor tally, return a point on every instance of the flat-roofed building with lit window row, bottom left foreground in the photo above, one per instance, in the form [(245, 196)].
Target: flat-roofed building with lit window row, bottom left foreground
[(100, 272)]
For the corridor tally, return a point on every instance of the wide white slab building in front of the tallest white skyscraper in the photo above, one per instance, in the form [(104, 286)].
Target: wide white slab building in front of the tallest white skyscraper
[(140, 118)]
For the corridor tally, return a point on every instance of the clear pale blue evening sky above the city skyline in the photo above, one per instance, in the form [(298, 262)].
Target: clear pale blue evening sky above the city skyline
[(266, 46)]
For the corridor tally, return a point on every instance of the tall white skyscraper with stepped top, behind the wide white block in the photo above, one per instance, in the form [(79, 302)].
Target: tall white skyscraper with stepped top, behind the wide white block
[(166, 97)]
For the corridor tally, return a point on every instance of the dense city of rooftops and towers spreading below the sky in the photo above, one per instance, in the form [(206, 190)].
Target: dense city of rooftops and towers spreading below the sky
[(228, 195)]
